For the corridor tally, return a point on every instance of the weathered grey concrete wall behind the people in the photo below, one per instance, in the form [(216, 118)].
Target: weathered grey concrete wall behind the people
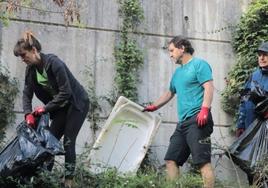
[(205, 22)]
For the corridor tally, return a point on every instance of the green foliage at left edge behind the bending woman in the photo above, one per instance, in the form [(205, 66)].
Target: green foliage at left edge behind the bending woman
[(8, 93)]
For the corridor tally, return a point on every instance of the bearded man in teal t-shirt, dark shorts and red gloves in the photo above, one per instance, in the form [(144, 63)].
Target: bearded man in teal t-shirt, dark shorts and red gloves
[(193, 84)]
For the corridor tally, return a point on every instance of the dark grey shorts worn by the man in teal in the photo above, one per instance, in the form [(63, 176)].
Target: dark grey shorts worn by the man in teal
[(189, 138)]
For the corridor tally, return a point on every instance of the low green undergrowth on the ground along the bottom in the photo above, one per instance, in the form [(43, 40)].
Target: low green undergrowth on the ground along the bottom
[(110, 179)]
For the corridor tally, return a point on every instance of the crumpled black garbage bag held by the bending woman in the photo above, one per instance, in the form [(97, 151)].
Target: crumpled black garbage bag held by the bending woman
[(29, 149)]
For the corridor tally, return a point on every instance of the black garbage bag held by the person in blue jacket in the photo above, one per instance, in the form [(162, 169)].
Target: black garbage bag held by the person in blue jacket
[(250, 150)]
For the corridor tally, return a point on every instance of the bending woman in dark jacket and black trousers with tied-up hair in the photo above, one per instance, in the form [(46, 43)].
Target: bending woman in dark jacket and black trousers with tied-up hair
[(63, 97)]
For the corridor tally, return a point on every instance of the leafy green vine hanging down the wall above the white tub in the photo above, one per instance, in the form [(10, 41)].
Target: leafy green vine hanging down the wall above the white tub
[(128, 56)]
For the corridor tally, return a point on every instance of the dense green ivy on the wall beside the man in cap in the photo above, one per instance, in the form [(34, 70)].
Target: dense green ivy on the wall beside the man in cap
[(251, 31)]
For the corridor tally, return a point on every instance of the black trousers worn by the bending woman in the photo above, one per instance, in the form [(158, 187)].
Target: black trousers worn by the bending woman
[(67, 122)]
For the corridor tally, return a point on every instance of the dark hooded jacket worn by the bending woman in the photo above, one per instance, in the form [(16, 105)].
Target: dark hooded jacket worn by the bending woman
[(68, 90)]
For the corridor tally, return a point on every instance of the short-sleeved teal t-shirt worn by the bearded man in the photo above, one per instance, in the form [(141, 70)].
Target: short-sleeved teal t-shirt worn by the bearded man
[(187, 84)]
